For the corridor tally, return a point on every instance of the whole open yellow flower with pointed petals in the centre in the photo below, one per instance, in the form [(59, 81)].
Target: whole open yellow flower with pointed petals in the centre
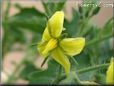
[(59, 48)]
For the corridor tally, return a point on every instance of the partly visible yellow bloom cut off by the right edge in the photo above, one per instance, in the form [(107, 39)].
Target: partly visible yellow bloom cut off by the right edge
[(110, 73)]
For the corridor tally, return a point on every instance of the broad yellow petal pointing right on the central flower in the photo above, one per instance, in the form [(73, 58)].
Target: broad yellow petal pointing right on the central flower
[(72, 46)]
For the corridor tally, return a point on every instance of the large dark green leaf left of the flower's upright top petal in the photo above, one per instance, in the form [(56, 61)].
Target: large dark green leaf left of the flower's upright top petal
[(29, 18)]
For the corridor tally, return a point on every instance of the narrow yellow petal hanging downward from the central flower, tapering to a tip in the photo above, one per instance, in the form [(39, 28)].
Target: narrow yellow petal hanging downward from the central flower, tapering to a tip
[(59, 56)]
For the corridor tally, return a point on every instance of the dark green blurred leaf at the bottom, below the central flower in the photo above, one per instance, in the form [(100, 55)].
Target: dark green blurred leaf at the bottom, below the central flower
[(46, 76)]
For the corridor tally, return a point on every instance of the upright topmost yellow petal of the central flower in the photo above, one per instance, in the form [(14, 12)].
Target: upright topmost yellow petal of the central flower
[(56, 23)]
